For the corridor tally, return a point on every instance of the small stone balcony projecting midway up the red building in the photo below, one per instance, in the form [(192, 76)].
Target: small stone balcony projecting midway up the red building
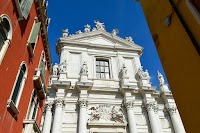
[(39, 83)]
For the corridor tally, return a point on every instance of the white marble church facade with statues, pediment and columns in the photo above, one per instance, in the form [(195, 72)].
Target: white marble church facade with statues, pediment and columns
[(99, 86)]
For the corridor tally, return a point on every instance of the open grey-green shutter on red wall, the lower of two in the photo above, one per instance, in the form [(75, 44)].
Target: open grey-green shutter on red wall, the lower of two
[(34, 33)]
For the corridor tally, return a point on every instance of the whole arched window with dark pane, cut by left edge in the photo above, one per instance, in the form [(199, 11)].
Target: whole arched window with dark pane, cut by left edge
[(5, 34)]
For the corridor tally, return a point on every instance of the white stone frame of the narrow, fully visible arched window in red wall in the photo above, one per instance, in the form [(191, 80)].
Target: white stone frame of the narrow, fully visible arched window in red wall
[(16, 104)]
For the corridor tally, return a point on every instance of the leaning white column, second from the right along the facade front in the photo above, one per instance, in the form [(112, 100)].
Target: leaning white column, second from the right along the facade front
[(152, 117)]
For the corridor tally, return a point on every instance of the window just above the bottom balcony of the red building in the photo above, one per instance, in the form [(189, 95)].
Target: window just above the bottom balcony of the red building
[(33, 107)]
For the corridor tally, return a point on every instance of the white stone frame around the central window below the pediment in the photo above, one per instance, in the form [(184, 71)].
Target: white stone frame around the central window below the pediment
[(109, 67)]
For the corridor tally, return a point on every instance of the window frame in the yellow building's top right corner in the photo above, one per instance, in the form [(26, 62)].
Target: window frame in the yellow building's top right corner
[(193, 10)]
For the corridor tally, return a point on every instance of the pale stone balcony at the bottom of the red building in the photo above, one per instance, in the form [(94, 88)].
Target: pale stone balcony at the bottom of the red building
[(31, 126)]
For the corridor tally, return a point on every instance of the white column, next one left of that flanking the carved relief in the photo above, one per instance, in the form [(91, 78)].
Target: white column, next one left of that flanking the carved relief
[(57, 122)]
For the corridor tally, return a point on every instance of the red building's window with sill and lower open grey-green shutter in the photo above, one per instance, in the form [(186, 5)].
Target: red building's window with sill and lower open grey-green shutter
[(33, 37)]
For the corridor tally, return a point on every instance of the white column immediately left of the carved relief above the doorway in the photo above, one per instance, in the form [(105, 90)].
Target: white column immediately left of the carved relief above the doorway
[(82, 125)]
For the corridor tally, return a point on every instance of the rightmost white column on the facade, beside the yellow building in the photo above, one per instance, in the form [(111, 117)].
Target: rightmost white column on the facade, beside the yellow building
[(178, 127)]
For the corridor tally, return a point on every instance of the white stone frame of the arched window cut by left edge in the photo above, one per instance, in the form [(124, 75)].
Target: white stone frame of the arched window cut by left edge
[(9, 37)]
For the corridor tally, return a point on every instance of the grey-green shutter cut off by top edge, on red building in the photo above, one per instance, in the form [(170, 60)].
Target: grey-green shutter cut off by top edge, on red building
[(26, 7)]
